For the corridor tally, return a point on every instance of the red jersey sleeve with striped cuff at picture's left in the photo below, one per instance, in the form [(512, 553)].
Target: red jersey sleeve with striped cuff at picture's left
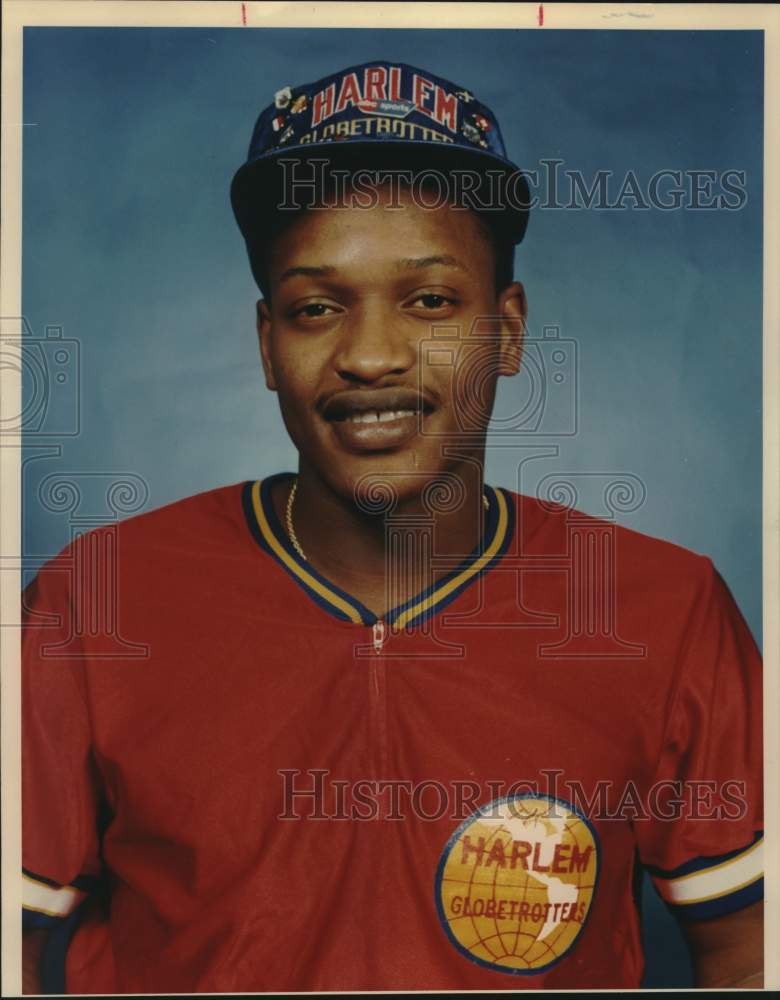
[(60, 793)]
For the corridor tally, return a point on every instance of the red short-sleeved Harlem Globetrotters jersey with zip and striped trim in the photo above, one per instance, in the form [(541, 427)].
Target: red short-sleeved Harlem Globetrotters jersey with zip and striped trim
[(236, 778)]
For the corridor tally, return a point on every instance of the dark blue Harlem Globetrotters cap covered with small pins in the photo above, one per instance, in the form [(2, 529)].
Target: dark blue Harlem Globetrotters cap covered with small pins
[(380, 114)]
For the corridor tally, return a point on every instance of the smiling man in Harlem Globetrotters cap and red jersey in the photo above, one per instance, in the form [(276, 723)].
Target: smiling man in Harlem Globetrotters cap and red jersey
[(392, 728)]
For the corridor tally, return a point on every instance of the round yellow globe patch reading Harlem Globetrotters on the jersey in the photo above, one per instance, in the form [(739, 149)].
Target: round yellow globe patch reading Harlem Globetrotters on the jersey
[(515, 883)]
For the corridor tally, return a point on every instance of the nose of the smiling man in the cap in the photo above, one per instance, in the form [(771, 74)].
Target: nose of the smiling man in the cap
[(373, 344)]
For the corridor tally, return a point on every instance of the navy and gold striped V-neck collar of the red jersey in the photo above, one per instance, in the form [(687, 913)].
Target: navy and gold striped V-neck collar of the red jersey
[(271, 536)]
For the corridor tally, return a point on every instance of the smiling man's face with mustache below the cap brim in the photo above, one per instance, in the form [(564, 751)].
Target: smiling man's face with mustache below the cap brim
[(364, 387)]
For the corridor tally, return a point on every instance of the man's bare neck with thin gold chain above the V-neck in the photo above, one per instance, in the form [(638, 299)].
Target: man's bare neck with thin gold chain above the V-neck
[(385, 559)]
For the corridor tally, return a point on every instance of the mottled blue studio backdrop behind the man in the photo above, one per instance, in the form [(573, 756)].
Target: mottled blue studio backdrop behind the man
[(151, 371)]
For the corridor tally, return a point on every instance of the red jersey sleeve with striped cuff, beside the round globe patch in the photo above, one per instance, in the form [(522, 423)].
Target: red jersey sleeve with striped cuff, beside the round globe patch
[(702, 845)]
